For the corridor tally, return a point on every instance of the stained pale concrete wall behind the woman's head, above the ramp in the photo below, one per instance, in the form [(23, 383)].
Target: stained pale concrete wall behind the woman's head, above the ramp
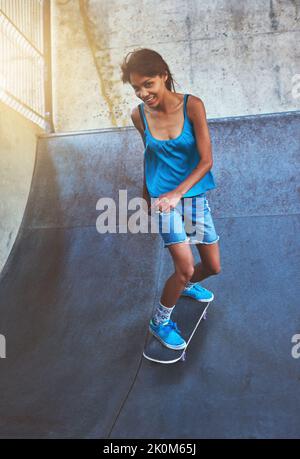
[(239, 57)]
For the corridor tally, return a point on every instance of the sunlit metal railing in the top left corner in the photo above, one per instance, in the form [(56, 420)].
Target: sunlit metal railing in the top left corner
[(25, 62)]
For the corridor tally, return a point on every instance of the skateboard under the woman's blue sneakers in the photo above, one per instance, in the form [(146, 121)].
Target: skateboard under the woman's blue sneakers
[(188, 316)]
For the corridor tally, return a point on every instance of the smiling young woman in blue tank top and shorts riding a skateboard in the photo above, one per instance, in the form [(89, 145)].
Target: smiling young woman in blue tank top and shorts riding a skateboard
[(177, 173)]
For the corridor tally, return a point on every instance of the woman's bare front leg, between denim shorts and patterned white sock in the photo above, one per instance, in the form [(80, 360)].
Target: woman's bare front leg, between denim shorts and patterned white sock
[(184, 268)]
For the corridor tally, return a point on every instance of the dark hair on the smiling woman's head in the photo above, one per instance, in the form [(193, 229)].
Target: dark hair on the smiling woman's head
[(146, 62)]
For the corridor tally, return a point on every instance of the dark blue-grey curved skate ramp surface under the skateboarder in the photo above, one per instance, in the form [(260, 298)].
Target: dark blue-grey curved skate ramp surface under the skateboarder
[(75, 304)]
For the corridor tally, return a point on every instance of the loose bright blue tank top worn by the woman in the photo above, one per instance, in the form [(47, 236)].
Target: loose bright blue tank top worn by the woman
[(169, 162)]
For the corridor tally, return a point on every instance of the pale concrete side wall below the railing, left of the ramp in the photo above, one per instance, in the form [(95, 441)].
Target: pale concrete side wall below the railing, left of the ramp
[(17, 146)]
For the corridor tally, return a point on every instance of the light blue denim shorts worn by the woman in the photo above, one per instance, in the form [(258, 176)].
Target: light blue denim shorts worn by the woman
[(190, 221)]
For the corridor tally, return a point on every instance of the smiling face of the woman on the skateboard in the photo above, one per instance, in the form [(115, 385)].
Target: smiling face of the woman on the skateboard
[(149, 89)]
